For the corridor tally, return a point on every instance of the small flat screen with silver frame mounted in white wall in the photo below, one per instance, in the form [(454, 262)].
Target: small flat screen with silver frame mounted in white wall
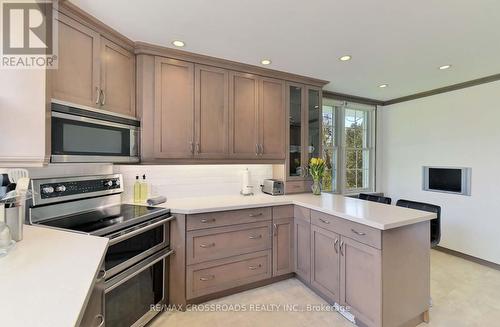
[(447, 180)]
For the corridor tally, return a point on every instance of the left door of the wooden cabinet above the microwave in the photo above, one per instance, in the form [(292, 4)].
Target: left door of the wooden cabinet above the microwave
[(77, 77)]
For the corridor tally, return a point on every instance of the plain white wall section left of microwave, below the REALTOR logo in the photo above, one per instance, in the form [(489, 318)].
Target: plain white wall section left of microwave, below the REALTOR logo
[(22, 117)]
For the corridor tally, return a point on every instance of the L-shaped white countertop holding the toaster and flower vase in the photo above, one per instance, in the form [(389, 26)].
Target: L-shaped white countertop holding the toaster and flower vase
[(376, 215)]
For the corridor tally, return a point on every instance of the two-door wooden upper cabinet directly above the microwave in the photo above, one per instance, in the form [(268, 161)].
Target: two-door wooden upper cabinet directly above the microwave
[(92, 70)]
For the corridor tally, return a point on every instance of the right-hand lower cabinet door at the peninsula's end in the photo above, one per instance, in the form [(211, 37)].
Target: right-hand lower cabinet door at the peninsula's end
[(361, 281)]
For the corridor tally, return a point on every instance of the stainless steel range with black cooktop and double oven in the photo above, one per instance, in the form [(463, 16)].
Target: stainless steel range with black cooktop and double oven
[(134, 276)]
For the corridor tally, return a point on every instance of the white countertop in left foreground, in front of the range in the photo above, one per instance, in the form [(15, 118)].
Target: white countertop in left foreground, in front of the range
[(46, 278)]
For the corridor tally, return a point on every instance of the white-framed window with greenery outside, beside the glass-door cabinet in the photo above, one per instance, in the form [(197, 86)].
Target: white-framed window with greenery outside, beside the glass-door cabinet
[(348, 146)]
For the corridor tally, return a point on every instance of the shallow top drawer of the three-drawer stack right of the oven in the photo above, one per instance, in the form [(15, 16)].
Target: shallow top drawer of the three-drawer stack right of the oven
[(226, 218)]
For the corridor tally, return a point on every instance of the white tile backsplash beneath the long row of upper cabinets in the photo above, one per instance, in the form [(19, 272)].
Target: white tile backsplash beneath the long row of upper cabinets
[(180, 181)]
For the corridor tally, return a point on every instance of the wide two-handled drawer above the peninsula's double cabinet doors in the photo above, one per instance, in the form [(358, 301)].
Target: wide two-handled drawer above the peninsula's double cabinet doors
[(359, 232)]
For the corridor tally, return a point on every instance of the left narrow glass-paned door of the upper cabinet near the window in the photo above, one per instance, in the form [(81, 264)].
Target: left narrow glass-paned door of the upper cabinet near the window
[(295, 131)]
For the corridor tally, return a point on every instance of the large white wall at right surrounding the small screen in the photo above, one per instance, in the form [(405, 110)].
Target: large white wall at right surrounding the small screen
[(460, 128)]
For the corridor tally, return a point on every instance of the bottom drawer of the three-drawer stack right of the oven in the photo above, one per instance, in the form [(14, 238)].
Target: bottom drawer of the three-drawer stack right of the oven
[(219, 275)]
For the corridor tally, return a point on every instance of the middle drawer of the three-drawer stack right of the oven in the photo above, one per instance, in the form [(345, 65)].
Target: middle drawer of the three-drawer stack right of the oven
[(223, 242)]
